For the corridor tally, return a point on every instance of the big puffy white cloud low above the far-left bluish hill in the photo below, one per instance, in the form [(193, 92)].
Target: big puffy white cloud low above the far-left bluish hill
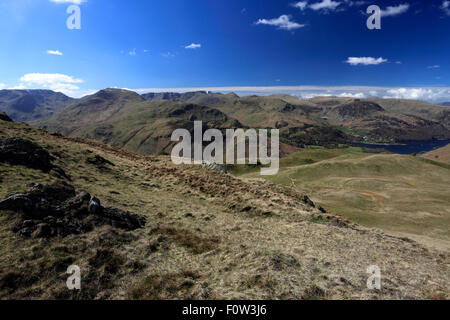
[(53, 81)]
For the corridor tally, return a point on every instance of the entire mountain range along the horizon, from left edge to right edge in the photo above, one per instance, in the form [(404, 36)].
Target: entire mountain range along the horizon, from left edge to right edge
[(144, 123)]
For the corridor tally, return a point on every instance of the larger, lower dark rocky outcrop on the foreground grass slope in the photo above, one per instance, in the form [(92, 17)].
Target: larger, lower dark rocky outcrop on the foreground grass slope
[(56, 210)]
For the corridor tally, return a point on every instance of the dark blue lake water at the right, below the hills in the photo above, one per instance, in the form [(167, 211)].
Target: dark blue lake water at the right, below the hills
[(409, 147)]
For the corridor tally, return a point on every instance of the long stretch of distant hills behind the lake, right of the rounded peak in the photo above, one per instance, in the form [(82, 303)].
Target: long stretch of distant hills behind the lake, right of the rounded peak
[(374, 119)]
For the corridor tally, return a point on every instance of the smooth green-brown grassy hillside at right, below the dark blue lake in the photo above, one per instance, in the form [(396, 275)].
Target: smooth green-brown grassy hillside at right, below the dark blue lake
[(405, 195)]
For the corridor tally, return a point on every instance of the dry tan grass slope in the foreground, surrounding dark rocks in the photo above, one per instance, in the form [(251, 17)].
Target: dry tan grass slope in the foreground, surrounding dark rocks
[(207, 235)]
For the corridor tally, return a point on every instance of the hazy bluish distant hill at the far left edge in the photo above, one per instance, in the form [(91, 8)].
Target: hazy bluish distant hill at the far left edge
[(27, 105)]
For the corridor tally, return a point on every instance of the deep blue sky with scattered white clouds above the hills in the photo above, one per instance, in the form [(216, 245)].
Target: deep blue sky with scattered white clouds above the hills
[(247, 46)]
